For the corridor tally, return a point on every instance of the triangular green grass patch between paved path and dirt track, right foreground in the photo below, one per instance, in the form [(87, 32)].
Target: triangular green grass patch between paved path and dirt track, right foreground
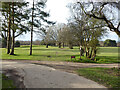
[(105, 76)]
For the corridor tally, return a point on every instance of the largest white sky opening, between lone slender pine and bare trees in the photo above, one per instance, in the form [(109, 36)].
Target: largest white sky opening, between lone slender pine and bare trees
[(58, 10)]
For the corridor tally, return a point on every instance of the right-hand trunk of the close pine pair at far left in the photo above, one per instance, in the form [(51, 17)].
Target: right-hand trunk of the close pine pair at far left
[(13, 33)]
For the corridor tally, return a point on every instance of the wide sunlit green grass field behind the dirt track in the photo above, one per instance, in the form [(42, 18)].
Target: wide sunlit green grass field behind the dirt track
[(105, 54)]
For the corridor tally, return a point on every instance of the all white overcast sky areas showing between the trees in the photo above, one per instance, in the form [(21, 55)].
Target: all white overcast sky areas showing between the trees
[(60, 13)]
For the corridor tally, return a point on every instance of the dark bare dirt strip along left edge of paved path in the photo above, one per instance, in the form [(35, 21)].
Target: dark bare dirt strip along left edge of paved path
[(13, 75)]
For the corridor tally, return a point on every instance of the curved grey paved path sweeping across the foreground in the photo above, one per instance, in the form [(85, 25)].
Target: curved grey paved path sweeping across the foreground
[(40, 76)]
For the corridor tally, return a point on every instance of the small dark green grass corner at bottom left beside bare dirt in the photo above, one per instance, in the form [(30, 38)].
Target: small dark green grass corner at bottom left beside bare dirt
[(6, 83)]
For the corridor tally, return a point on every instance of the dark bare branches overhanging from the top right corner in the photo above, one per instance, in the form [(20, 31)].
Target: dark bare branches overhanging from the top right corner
[(101, 11)]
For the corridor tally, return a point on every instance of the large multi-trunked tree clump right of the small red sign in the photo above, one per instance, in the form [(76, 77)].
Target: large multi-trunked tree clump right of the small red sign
[(87, 31)]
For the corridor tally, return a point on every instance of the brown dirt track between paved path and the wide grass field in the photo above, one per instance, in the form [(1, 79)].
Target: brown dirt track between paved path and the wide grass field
[(70, 67)]
